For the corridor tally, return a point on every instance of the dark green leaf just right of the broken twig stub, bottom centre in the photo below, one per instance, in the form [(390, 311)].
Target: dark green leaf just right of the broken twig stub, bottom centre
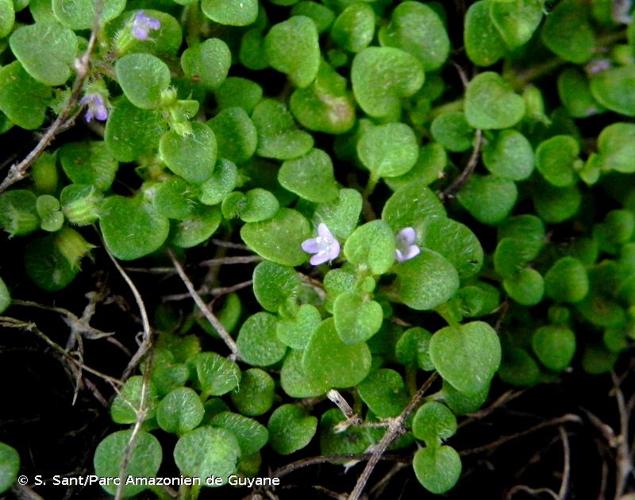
[(384, 392)]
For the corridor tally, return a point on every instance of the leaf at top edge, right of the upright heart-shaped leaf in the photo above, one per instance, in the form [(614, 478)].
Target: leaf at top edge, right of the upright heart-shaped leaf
[(354, 28)]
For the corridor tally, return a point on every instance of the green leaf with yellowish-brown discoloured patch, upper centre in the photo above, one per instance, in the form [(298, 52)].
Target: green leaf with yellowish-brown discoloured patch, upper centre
[(326, 105)]
